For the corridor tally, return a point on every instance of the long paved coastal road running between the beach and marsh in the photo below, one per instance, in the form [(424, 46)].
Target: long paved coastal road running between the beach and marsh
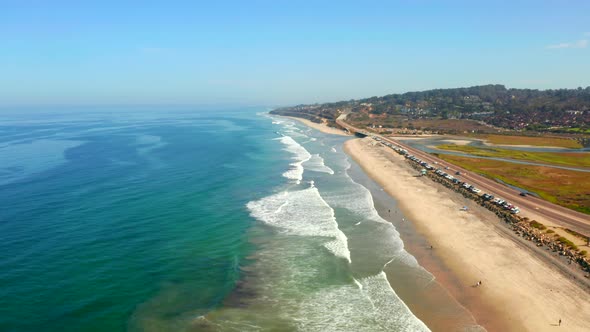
[(555, 214)]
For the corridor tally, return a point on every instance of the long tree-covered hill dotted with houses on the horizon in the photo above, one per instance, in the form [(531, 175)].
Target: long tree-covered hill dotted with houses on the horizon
[(495, 105)]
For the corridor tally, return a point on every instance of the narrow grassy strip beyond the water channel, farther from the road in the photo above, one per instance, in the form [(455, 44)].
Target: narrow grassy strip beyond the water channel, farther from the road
[(556, 158)]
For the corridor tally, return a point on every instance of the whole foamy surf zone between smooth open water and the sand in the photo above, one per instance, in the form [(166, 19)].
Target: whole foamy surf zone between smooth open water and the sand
[(290, 265)]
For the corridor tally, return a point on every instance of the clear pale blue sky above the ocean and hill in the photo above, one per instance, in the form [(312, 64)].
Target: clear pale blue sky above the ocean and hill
[(282, 52)]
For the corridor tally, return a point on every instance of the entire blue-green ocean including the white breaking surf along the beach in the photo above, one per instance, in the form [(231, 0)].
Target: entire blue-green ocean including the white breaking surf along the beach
[(190, 219)]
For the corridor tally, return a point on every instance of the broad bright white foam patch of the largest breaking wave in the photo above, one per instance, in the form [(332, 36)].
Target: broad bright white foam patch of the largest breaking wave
[(290, 211)]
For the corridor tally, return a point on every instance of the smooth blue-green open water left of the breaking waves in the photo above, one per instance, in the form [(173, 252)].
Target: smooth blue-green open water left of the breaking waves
[(103, 212)]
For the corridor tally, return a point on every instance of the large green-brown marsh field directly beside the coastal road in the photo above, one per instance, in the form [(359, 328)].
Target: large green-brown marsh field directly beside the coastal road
[(563, 187)]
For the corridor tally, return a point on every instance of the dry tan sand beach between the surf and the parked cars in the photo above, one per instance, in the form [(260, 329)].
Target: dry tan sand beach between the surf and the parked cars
[(519, 291)]
